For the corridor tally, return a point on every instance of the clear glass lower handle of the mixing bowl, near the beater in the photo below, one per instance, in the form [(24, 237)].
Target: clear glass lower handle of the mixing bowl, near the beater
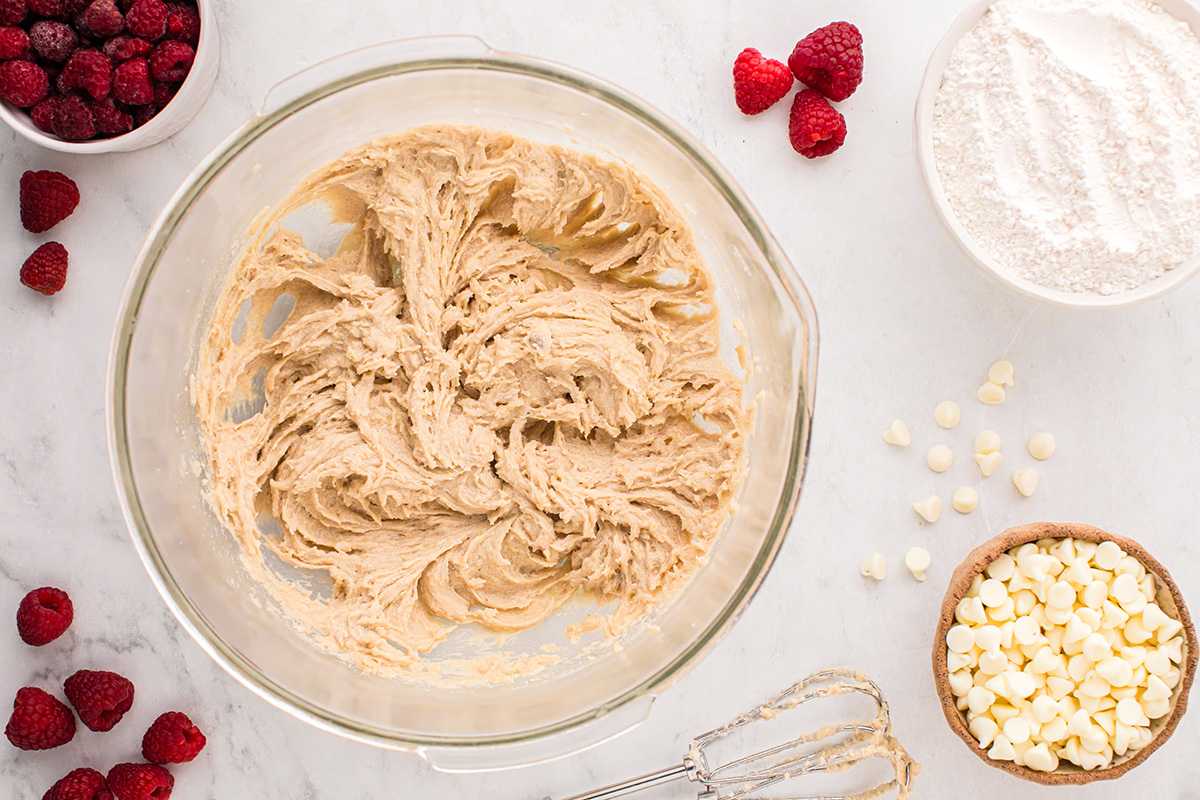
[(545, 749)]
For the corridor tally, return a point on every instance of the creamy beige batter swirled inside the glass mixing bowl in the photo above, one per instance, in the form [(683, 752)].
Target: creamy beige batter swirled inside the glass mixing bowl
[(505, 389)]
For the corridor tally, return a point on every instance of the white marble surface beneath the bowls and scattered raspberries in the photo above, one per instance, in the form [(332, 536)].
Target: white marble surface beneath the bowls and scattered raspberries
[(905, 323)]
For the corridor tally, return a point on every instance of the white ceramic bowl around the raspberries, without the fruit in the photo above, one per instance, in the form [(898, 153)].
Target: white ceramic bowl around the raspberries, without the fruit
[(170, 122)]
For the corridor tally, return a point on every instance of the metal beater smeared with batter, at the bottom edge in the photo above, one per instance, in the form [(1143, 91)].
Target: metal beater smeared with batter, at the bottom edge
[(830, 749)]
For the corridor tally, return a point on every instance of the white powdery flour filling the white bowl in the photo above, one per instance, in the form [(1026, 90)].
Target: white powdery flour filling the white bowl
[(1067, 136)]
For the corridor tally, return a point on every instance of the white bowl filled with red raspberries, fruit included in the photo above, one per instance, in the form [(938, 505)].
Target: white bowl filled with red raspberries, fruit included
[(105, 76)]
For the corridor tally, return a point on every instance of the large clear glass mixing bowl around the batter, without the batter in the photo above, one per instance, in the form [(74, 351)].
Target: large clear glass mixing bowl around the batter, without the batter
[(160, 467)]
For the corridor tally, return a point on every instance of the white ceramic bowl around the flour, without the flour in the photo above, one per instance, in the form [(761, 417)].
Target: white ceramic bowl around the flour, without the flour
[(987, 264)]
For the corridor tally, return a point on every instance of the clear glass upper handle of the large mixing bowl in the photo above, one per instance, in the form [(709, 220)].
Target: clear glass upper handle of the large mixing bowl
[(374, 57)]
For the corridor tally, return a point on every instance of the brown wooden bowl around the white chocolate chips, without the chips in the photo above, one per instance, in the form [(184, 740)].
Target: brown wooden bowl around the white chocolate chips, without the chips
[(1169, 600)]
